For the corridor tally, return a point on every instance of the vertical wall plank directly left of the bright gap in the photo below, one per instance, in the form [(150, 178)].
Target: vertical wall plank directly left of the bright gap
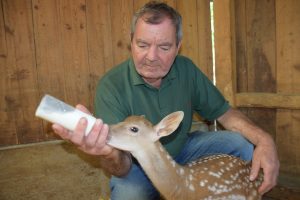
[(205, 61)]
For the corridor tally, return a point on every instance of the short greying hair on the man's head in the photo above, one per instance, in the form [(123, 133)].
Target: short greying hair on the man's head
[(155, 12)]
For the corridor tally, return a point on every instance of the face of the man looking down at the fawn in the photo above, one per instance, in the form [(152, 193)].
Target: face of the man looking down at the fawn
[(154, 49)]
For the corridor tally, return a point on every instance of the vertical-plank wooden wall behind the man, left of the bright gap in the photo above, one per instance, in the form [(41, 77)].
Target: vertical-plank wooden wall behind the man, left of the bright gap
[(63, 47)]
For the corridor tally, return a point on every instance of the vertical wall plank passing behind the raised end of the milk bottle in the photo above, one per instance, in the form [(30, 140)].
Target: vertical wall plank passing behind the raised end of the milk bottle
[(49, 55)]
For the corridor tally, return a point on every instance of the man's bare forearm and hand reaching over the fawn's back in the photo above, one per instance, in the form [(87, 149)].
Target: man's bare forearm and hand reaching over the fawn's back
[(265, 154)]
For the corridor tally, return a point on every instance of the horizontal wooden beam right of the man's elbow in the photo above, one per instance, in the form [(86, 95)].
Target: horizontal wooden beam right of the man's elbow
[(268, 100)]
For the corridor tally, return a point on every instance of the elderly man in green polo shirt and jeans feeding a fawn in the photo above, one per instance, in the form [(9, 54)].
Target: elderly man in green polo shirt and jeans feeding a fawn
[(154, 82)]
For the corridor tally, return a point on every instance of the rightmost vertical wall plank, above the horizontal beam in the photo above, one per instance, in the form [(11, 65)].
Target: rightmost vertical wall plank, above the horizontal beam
[(288, 34)]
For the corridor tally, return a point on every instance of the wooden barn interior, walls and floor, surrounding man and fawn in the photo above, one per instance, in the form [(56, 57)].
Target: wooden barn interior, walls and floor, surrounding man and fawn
[(249, 48)]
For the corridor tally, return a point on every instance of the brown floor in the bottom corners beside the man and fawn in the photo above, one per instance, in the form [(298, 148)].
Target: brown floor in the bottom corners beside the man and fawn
[(58, 171)]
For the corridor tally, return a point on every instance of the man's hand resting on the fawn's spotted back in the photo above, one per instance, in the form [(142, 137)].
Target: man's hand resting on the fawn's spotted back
[(265, 157)]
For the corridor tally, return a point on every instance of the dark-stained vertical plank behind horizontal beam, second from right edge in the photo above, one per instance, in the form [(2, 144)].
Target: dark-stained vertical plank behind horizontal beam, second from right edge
[(260, 60)]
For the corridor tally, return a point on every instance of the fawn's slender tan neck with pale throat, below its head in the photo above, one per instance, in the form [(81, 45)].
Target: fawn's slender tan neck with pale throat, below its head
[(167, 176)]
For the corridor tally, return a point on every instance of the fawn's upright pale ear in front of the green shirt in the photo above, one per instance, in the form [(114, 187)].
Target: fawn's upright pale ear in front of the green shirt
[(168, 124)]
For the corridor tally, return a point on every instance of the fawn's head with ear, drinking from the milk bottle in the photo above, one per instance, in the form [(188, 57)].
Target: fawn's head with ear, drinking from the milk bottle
[(136, 132)]
